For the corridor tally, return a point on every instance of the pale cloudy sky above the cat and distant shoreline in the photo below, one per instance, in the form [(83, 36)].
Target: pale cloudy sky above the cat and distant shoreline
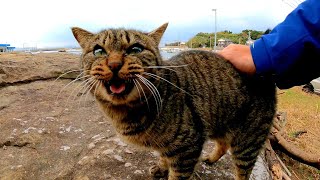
[(47, 23)]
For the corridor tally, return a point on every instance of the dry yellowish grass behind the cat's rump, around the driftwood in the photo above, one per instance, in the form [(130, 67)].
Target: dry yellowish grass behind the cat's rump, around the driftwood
[(303, 114)]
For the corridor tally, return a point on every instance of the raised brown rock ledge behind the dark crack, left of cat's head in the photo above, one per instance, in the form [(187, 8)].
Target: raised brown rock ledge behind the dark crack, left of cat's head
[(18, 68)]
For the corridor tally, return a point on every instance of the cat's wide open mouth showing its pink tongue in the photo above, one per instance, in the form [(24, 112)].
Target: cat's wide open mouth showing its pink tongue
[(119, 87)]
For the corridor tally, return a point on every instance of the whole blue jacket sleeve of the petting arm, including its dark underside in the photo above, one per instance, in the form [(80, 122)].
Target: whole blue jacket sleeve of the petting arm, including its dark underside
[(291, 52)]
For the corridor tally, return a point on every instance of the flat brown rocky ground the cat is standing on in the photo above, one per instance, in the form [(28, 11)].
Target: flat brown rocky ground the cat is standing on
[(50, 131)]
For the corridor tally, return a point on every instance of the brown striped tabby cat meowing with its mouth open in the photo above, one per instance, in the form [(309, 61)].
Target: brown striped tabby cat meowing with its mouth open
[(174, 106)]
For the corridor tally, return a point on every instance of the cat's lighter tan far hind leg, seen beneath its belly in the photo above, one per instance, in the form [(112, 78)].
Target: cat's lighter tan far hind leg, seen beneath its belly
[(220, 149)]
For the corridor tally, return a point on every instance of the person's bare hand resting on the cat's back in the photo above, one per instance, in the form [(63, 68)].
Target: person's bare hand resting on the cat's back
[(240, 56)]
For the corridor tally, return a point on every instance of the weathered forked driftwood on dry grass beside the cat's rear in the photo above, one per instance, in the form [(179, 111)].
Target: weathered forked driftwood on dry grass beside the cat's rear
[(276, 138)]
